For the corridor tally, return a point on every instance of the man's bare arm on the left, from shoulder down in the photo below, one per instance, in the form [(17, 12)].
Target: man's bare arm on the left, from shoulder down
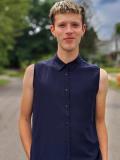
[(26, 110)]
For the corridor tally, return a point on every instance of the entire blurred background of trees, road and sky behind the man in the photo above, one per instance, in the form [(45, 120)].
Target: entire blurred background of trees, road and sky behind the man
[(25, 38)]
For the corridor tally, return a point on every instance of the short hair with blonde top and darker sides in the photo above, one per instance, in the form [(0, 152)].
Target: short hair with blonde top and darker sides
[(66, 6)]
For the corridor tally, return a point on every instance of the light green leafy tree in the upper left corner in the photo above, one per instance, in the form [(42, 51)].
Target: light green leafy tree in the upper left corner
[(13, 18)]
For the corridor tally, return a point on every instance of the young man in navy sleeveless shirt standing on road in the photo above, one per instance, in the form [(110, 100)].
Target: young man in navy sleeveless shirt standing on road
[(65, 97)]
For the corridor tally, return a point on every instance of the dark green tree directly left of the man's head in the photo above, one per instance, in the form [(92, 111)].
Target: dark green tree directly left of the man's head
[(37, 39)]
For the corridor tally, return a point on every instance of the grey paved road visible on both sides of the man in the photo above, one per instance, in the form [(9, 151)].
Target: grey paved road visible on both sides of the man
[(10, 146)]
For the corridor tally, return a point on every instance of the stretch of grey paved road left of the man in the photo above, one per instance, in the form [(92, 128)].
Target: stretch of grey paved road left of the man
[(10, 146)]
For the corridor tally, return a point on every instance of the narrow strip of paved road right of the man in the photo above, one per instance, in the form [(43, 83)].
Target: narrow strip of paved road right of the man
[(113, 123)]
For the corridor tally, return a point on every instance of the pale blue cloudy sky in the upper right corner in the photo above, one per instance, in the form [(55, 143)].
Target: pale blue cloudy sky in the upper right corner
[(106, 13)]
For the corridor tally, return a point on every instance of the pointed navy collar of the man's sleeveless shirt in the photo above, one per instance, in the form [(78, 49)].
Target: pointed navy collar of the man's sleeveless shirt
[(59, 64)]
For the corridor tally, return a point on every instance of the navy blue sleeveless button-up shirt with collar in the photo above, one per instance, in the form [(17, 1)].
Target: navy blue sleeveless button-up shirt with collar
[(64, 103)]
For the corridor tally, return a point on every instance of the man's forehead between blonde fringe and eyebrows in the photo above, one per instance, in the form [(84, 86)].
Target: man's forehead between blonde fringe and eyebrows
[(67, 17)]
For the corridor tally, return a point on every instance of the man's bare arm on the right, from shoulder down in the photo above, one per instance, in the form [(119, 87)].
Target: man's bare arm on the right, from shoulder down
[(100, 114)]
